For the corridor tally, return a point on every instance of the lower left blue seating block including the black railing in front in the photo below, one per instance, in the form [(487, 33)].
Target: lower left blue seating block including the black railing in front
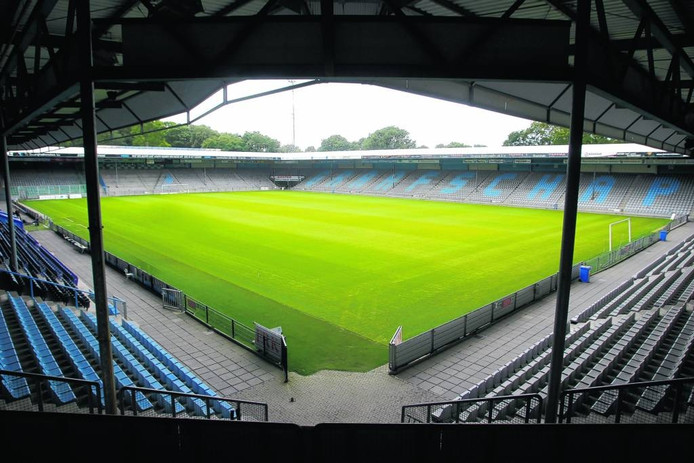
[(67, 344)]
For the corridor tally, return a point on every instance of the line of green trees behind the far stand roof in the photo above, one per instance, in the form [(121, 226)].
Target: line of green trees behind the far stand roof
[(170, 134)]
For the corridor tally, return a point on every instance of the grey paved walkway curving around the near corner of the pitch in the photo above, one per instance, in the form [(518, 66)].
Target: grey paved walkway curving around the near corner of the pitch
[(331, 396)]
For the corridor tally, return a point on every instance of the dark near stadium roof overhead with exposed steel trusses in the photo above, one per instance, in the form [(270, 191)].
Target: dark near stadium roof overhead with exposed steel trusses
[(157, 58)]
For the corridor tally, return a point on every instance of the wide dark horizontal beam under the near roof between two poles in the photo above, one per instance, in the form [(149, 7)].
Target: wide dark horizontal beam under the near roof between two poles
[(361, 47)]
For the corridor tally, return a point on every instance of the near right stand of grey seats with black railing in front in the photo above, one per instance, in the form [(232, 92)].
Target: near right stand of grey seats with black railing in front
[(629, 358)]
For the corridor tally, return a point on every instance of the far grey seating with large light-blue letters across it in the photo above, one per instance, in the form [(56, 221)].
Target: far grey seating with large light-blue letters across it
[(630, 193)]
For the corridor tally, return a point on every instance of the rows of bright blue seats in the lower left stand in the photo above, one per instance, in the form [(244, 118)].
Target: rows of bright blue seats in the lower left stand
[(73, 339)]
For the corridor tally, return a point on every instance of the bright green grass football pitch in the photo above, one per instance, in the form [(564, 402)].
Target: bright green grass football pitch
[(338, 273)]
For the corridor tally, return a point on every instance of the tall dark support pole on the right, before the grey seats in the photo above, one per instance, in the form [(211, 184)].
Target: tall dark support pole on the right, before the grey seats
[(570, 210)]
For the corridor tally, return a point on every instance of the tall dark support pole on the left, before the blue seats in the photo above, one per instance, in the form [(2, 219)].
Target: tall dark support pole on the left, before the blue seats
[(91, 174)]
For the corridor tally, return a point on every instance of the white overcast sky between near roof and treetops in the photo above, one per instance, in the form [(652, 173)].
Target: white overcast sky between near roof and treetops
[(308, 115)]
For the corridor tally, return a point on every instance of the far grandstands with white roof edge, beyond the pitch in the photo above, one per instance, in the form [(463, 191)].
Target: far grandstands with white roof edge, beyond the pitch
[(625, 179)]
